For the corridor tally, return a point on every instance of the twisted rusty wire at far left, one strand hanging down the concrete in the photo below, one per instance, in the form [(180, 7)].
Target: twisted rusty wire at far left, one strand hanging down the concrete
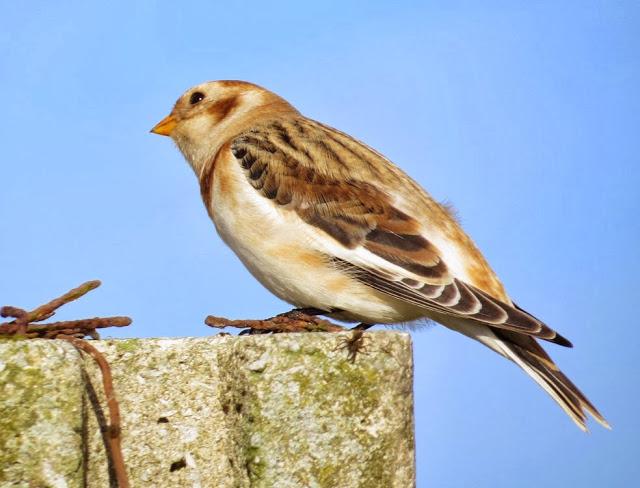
[(74, 331)]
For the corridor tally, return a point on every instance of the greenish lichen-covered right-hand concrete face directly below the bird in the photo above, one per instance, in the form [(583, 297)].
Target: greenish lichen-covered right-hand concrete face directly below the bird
[(320, 420)]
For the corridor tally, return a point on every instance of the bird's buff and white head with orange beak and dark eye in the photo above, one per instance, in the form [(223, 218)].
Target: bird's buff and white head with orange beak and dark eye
[(209, 114)]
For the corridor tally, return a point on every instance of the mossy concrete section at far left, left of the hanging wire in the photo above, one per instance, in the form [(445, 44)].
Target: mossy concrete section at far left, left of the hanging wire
[(41, 391)]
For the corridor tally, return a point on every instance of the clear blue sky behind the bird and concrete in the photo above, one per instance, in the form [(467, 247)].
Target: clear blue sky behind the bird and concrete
[(525, 115)]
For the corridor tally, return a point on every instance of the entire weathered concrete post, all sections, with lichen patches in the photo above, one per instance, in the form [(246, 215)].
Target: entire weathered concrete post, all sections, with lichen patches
[(284, 410)]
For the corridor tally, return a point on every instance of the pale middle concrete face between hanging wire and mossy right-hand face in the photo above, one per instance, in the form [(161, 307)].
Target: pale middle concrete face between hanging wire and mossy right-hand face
[(174, 431)]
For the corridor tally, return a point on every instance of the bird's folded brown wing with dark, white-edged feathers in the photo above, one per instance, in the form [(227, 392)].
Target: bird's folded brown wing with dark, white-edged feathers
[(311, 170)]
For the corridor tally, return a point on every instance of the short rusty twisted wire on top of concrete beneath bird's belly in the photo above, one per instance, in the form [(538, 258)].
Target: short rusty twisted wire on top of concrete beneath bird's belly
[(296, 320)]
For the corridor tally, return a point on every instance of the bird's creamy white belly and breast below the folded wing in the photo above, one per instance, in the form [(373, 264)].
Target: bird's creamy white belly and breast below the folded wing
[(274, 246)]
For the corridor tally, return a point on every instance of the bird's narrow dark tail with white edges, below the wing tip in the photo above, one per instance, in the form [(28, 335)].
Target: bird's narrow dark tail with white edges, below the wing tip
[(525, 351)]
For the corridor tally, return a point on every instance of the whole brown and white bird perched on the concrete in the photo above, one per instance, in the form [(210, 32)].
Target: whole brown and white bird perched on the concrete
[(326, 223)]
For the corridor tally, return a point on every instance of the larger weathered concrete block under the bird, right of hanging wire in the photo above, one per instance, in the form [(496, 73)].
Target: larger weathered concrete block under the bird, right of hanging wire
[(287, 410)]
